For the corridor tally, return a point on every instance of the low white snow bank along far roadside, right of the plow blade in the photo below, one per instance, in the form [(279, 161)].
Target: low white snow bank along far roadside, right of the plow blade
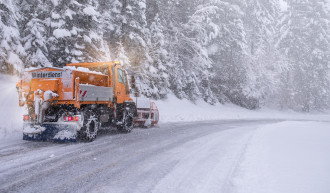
[(176, 110)]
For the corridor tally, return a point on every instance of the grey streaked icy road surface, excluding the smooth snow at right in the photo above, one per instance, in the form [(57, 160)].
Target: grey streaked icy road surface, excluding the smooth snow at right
[(173, 157)]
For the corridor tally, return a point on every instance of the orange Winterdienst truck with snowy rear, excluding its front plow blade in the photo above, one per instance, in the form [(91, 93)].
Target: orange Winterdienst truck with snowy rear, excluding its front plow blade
[(74, 102)]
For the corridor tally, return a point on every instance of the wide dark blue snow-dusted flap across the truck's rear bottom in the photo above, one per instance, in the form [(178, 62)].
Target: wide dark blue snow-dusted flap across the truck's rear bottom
[(51, 132)]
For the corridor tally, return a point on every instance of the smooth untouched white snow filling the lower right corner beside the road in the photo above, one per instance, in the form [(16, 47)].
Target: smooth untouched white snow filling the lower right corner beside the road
[(285, 157)]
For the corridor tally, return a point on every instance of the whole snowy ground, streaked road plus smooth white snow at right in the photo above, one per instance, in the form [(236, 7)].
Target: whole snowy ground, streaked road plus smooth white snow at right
[(216, 156)]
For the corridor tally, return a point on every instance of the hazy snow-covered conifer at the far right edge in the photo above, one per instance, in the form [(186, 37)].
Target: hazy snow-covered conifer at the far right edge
[(305, 41)]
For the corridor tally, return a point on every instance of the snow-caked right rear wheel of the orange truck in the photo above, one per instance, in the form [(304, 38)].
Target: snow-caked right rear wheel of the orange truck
[(88, 131)]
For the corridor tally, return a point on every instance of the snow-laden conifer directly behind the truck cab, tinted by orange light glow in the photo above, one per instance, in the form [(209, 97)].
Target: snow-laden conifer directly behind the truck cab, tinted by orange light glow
[(133, 43)]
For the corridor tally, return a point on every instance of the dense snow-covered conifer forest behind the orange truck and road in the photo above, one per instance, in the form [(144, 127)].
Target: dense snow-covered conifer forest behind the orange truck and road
[(251, 53)]
